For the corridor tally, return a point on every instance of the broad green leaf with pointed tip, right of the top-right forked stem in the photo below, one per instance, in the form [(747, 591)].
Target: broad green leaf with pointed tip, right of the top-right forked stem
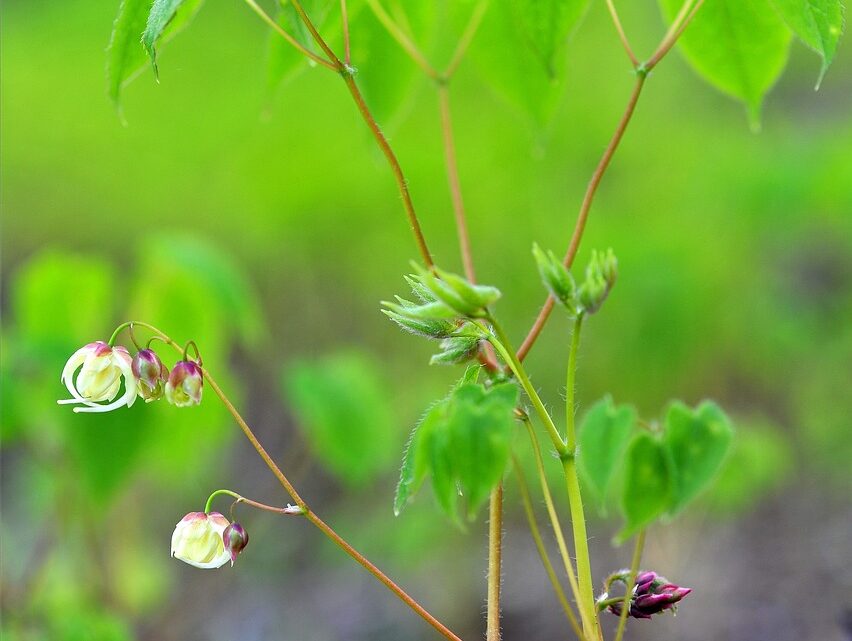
[(738, 46)]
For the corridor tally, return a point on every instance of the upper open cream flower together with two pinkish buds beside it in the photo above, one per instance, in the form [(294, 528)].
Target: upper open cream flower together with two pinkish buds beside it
[(95, 373)]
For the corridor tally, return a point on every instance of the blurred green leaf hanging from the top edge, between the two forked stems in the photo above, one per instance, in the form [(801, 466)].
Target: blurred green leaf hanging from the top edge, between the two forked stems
[(520, 51)]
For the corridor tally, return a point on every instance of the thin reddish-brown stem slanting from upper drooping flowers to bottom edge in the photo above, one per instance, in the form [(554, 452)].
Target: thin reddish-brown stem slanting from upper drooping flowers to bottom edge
[(310, 515)]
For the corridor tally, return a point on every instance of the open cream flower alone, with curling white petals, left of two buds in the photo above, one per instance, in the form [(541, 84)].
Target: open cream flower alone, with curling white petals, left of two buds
[(101, 371)]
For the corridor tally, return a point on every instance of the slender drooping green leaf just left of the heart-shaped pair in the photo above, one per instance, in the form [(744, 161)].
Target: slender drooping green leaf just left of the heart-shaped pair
[(603, 437)]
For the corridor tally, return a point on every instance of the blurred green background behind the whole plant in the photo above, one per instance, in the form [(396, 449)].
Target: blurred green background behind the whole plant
[(265, 225)]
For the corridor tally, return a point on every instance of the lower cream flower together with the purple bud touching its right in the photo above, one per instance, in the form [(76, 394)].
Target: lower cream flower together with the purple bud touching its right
[(208, 541)]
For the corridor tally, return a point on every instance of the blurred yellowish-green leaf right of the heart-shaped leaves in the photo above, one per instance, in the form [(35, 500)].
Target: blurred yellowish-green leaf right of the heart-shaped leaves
[(759, 462)]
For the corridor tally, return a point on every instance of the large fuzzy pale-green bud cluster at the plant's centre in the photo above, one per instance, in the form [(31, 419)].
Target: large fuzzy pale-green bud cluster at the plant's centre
[(446, 307)]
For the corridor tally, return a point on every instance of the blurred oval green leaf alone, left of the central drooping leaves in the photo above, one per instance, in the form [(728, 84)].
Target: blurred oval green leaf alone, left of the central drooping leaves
[(343, 409)]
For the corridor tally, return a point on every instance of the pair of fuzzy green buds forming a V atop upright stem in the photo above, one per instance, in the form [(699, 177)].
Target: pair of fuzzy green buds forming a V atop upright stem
[(601, 273)]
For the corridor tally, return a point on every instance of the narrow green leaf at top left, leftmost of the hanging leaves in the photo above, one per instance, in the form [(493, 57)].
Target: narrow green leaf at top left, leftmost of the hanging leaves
[(125, 54)]
